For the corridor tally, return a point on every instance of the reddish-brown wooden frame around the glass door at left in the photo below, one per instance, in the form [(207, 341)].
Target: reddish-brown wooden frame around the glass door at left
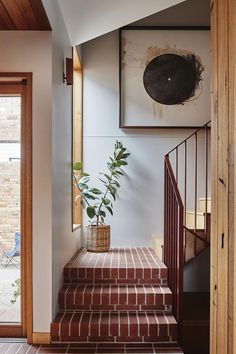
[(26, 207)]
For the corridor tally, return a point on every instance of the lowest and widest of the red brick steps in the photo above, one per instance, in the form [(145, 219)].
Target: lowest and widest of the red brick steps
[(113, 326)]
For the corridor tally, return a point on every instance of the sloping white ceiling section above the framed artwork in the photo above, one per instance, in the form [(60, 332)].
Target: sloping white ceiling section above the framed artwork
[(89, 19)]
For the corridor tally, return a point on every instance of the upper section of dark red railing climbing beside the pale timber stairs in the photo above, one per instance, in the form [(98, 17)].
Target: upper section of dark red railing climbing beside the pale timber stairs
[(181, 153)]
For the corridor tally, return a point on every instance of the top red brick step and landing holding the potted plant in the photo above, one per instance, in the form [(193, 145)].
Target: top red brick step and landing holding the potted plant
[(118, 266)]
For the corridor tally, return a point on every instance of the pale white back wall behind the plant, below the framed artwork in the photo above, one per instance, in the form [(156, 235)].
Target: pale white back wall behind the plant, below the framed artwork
[(139, 210)]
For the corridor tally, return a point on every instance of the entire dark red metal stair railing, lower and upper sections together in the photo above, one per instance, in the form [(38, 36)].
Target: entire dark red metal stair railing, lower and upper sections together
[(175, 211)]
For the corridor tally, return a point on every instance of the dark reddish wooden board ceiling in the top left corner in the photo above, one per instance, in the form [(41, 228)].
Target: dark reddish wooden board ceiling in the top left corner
[(23, 15)]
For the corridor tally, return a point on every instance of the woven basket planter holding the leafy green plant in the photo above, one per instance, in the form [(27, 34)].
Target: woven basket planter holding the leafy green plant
[(98, 238)]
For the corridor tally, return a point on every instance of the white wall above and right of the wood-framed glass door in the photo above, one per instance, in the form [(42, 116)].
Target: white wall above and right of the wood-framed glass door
[(32, 52)]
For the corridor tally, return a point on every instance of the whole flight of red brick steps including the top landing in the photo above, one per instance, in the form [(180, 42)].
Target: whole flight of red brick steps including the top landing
[(119, 297)]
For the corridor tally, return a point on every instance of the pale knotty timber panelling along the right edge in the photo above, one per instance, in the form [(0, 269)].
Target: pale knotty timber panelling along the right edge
[(223, 243)]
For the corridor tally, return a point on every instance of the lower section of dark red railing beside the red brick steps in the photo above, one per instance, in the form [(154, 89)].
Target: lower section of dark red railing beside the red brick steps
[(174, 241)]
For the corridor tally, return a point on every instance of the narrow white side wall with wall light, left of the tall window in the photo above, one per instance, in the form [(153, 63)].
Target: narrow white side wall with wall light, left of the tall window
[(64, 242)]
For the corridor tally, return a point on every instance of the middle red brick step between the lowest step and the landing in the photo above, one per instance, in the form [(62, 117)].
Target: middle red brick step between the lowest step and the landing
[(115, 297)]
